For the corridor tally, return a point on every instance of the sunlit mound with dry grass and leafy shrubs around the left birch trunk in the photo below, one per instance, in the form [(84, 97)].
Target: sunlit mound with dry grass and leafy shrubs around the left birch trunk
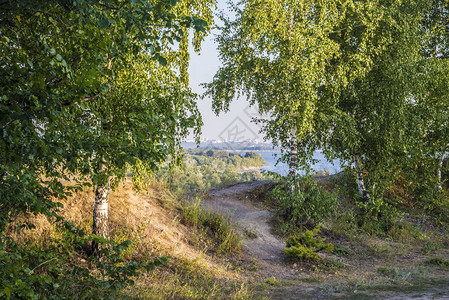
[(144, 259)]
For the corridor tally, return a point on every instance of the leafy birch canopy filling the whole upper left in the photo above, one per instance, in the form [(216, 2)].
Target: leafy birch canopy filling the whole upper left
[(88, 88)]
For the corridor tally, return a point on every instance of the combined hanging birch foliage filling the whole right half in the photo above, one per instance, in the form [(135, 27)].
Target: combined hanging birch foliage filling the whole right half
[(375, 91)]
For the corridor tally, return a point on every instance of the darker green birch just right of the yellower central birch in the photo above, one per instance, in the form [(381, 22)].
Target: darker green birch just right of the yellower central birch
[(371, 122)]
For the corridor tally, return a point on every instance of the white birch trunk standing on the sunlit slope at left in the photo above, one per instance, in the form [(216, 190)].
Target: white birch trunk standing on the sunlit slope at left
[(100, 217)]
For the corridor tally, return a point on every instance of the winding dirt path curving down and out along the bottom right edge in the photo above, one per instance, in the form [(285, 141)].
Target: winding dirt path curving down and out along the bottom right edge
[(267, 249)]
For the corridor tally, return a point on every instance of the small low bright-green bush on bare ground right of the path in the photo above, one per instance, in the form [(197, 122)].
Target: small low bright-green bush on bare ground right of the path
[(305, 247)]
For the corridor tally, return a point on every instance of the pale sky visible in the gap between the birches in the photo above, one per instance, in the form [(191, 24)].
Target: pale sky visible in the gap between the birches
[(235, 125)]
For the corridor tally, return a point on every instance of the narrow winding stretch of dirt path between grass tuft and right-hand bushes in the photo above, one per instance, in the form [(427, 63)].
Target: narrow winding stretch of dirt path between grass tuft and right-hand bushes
[(260, 243)]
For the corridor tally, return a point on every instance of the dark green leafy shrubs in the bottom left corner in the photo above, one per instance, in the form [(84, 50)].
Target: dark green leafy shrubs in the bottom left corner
[(63, 271)]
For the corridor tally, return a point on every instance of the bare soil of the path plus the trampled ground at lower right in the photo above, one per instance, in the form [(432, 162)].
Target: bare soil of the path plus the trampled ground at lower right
[(357, 278)]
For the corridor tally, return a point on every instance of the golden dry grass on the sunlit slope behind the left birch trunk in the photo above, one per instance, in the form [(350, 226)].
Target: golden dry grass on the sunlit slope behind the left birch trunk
[(151, 221)]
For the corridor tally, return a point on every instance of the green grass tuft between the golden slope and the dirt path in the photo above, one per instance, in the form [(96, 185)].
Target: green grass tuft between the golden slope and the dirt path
[(214, 224)]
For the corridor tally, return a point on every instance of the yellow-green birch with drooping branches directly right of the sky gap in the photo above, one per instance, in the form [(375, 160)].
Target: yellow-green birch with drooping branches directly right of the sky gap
[(277, 53)]
